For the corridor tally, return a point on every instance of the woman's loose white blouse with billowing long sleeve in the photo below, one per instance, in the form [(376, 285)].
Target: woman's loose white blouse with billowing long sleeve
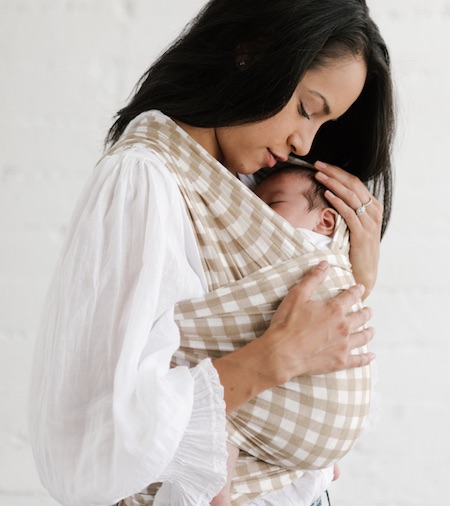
[(107, 414)]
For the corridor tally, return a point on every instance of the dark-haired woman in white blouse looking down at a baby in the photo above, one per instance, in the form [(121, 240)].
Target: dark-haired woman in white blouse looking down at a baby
[(247, 84)]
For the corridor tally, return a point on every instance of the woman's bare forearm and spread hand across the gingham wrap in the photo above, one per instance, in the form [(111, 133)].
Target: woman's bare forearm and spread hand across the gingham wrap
[(305, 337)]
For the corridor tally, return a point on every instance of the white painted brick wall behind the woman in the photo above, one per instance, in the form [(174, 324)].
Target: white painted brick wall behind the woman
[(68, 65)]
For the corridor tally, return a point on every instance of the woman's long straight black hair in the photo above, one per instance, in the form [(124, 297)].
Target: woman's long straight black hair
[(239, 61)]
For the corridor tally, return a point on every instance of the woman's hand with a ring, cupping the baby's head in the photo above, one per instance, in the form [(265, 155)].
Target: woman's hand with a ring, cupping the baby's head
[(363, 214)]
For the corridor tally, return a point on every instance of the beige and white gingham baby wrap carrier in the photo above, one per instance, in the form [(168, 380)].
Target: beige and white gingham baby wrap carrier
[(251, 257)]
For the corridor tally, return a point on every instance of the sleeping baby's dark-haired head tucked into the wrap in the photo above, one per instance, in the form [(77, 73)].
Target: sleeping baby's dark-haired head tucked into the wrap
[(294, 193)]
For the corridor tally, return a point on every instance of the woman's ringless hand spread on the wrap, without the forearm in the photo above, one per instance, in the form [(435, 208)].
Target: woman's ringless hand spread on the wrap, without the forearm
[(317, 337)]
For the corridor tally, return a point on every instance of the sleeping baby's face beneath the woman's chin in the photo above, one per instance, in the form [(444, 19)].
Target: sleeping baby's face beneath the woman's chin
[(285, 195)]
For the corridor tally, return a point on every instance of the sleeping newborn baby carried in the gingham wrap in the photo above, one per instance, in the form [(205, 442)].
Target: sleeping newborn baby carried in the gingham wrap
[(294, 193)]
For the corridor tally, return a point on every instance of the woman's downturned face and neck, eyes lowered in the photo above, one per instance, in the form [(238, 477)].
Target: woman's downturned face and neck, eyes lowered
[(322, 95)]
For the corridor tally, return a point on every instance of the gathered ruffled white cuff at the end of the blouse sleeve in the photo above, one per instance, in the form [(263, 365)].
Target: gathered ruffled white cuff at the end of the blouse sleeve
[(198, 470)]
